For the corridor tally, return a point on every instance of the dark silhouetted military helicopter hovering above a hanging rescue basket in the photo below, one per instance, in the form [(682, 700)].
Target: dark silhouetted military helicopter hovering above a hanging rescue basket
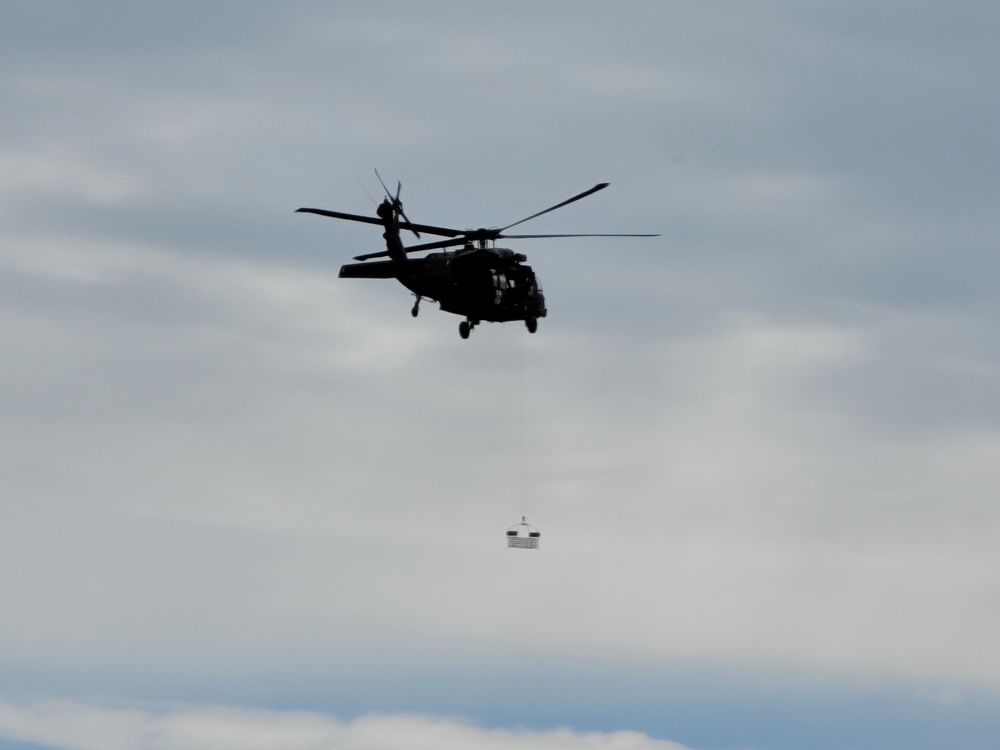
[(480, 281)]
